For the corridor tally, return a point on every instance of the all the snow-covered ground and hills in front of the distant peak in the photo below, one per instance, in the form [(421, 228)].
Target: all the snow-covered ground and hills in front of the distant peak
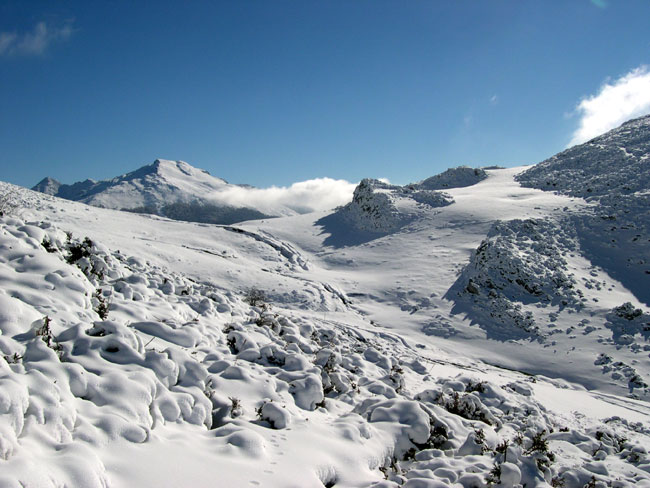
[(415, 338)]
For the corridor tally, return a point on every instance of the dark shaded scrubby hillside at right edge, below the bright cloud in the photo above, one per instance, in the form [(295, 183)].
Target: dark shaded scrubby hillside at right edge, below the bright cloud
[(612, 172)]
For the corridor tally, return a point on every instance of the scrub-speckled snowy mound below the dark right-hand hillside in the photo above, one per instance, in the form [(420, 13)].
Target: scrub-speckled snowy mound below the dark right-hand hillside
[(521, 262)]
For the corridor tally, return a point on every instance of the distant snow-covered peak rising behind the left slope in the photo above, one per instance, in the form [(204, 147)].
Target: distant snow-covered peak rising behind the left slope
[(173, 189)]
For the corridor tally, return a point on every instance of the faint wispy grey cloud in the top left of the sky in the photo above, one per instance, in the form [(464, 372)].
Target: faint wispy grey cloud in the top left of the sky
[(34, 42)]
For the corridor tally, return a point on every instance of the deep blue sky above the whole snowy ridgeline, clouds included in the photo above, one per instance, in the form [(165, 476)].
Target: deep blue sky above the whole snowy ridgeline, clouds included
[(274, 92)]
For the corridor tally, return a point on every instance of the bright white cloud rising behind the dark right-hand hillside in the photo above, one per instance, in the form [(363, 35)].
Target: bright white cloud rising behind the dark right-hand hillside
[(616, 102)]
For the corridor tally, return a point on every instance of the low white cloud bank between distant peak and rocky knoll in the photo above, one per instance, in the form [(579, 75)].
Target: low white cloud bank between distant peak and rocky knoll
[(303, 197)]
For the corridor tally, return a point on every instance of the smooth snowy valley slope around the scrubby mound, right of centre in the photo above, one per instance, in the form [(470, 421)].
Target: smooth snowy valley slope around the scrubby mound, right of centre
[(541, 307)]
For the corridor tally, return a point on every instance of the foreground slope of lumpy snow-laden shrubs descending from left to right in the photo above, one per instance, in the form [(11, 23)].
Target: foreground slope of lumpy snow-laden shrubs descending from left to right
[(166, 350)]
